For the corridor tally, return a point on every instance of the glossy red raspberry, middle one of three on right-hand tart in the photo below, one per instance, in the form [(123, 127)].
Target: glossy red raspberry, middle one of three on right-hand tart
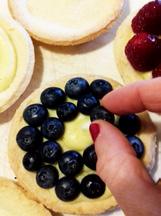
[(144, 51)]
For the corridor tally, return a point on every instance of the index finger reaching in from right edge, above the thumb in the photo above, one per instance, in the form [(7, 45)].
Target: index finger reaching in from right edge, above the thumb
[(134, 98)]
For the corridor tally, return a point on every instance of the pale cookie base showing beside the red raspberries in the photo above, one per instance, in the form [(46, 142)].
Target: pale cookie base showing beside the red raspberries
[(127, 72)]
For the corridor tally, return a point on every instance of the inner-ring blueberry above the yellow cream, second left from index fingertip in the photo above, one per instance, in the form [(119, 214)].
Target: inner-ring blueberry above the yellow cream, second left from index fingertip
[(67, 111)]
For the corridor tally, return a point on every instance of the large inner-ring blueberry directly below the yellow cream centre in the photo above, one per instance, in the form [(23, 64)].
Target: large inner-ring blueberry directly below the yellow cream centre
[(71, 163)]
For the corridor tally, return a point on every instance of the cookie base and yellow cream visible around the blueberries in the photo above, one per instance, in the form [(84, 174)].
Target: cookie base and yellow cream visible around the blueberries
[(82, 204)]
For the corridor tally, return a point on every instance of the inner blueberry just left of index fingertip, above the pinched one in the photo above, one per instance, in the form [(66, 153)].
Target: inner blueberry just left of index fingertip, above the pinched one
[(86, 103)]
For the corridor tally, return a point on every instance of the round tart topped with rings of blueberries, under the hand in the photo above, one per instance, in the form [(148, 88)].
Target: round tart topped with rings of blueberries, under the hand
[(51, 150)]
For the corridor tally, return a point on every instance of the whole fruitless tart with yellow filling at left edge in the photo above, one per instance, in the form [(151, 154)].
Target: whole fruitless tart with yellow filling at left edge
[(16, 61)]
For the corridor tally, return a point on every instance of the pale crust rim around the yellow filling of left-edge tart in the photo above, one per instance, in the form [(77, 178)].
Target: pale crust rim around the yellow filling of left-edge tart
[(25, 62)]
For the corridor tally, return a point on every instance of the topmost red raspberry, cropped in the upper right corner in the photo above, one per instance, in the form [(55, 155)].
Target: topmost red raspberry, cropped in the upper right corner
[(148, 19)]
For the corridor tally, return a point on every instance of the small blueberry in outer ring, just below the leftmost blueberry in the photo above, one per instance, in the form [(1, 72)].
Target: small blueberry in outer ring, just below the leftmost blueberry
[(32, 161)]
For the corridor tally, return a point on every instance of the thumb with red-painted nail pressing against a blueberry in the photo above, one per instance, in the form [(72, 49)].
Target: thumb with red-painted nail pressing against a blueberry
[(119, 167)]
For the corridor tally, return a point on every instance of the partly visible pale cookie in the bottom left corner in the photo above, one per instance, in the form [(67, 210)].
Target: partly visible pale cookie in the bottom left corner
[(14, 202)]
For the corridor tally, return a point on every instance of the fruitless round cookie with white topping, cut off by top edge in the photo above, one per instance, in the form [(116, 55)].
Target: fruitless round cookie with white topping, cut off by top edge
[(73, 24)]
